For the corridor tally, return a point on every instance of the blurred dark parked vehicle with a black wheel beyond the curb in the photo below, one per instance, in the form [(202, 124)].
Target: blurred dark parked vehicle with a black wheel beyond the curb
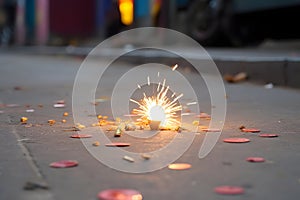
[(242, 22)]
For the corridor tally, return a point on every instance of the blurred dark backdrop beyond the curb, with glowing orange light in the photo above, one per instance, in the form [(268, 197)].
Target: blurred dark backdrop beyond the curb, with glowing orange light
[(86, 22)]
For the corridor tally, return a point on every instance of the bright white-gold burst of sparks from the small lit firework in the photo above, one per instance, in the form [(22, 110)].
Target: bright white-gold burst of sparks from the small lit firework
[(160, 107)]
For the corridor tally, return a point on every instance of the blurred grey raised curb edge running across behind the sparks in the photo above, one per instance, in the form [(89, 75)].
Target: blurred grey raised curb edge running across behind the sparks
[(267, 66)]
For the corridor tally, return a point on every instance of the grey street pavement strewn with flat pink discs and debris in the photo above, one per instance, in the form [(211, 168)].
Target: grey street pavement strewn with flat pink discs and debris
[(36, 82)]
